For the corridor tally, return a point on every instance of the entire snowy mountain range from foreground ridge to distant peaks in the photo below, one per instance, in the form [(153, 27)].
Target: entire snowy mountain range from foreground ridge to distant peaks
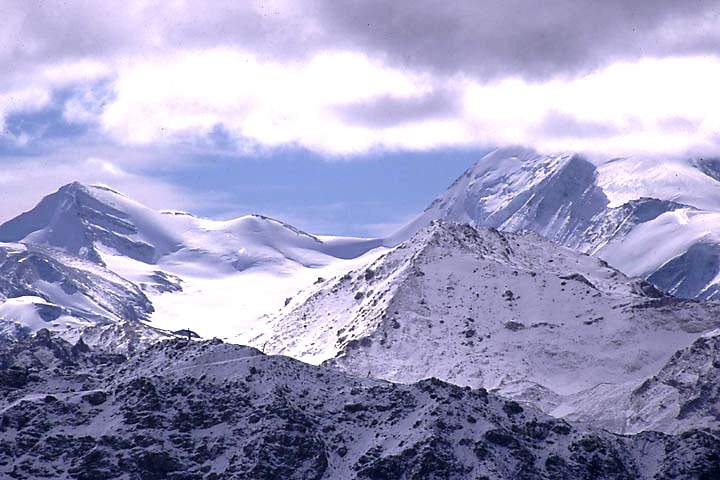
[(571, 293)]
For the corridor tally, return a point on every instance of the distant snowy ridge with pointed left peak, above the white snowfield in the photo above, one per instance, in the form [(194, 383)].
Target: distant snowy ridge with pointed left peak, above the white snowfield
[(95, 222)]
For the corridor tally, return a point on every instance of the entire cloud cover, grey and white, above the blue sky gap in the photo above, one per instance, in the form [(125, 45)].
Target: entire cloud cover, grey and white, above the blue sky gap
[(342, 78)]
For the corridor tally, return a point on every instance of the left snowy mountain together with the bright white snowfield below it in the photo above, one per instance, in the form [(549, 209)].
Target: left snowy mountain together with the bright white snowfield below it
[(213, 277)]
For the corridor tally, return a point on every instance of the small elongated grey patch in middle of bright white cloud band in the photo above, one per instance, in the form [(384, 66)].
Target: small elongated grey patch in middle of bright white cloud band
[(387, 111)]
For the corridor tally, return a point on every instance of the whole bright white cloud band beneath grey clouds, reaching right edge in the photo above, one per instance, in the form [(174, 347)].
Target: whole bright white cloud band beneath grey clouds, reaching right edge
[(625, 108)]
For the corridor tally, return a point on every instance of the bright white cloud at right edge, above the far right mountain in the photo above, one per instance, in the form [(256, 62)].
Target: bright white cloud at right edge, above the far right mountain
[(643, 107)]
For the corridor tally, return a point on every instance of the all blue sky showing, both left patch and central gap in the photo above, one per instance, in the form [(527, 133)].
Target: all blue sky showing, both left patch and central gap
[(364, 194)]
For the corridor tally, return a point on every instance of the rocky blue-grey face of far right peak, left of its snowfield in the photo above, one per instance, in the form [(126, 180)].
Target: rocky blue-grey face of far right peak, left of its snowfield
[(519, 189)]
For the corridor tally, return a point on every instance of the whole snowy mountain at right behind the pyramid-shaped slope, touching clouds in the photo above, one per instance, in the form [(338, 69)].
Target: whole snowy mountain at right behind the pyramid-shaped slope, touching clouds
[(659, 220)]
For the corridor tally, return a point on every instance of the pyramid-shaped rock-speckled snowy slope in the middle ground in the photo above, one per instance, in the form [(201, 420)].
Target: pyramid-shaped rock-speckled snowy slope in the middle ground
[(506, 311)]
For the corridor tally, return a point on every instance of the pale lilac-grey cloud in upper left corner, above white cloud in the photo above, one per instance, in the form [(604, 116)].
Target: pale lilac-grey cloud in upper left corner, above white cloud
[(38, 33)]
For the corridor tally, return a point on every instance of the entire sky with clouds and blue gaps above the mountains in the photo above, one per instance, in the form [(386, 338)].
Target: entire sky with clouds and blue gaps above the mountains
[(341, 117)]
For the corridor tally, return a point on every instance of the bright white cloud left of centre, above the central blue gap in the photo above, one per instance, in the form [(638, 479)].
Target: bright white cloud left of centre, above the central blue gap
[(270, 103)]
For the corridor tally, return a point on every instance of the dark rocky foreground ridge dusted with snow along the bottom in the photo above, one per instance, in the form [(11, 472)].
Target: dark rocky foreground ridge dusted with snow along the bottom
[(213, 410)]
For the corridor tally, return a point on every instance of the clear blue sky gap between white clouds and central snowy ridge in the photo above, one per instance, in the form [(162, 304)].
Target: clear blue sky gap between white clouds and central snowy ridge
[(370, 194)]
